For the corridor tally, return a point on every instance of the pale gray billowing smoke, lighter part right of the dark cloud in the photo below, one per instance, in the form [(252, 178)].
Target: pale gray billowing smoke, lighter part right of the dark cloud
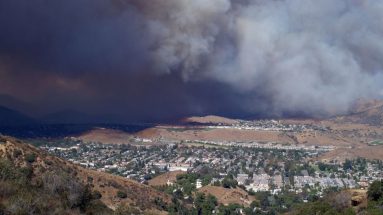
[(309, 56)]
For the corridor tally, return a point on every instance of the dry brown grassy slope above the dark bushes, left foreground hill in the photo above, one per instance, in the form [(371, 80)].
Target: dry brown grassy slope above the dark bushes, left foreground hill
[(48, 168)]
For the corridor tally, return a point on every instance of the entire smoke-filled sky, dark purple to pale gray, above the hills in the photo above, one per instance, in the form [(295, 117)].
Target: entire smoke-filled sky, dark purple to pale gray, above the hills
[(165, 59)]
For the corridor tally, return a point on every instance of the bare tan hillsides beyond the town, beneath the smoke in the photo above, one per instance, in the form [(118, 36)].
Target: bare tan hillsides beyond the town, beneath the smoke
[(358, 134)]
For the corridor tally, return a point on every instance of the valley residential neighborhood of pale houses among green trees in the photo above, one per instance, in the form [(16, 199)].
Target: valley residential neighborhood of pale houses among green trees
[(256, 169)]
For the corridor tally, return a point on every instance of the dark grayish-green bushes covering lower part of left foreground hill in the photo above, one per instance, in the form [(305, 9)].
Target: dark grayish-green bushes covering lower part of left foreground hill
[(22, 192)]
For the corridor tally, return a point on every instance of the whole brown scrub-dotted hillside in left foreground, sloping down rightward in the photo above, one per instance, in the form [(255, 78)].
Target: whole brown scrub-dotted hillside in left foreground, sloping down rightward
[(71, 189)]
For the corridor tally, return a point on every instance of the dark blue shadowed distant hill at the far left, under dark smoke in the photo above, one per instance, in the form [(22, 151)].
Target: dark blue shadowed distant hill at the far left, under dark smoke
[(9, 117)]
